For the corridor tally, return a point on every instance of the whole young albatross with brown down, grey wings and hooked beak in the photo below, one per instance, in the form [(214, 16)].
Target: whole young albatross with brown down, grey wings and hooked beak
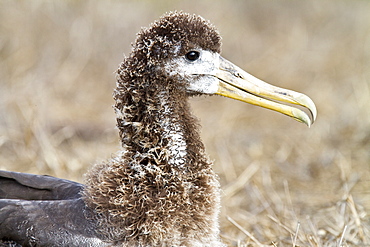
[(160, 189)]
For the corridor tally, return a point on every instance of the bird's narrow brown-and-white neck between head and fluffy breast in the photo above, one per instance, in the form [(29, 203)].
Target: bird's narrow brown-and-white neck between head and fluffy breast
[(163, 132)]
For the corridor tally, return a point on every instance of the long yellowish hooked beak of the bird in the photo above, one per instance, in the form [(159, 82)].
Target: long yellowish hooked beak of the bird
[(237, 84)]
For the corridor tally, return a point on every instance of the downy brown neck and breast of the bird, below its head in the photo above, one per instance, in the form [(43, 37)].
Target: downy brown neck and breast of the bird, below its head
[(162, 181)]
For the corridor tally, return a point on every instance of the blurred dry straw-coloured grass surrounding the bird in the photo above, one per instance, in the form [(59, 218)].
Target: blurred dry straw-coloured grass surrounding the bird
[(284, 184)]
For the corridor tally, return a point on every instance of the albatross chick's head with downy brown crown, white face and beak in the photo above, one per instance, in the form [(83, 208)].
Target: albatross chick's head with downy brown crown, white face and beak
[(186, 49)]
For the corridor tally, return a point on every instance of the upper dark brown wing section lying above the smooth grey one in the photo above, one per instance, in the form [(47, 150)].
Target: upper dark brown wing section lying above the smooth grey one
[(15, 185)]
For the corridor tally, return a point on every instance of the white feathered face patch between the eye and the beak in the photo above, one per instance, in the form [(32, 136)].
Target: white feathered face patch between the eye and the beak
[(199, 74)]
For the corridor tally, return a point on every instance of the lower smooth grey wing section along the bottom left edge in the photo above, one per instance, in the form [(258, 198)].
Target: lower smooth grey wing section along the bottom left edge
[(47, 223)]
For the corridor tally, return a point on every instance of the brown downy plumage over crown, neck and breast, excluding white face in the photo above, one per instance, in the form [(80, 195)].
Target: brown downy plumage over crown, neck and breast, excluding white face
[(151, 194)]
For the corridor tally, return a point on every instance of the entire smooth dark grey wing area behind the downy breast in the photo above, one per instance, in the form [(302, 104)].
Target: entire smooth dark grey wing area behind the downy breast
[(44, 211)]
